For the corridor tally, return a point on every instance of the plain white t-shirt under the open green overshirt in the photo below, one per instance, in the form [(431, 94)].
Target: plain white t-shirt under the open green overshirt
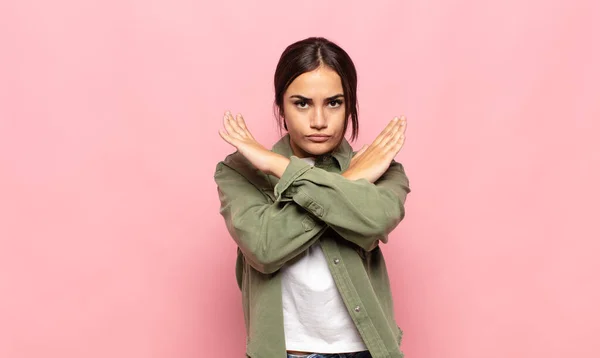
[(314, 314)]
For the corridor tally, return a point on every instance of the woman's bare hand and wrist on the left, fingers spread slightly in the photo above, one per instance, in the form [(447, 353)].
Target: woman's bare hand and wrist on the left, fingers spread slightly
[(237, 134)]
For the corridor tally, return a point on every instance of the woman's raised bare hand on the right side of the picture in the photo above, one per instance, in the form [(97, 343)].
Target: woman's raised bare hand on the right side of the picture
[(373, 160)]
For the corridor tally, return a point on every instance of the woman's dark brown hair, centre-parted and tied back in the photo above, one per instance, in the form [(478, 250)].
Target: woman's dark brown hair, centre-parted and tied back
[(308, 55)]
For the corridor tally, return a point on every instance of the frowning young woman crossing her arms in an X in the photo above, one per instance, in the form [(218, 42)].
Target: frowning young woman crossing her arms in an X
[(308, 216)]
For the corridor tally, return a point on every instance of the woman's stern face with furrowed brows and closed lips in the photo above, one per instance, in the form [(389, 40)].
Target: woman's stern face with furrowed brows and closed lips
[(313, 109)]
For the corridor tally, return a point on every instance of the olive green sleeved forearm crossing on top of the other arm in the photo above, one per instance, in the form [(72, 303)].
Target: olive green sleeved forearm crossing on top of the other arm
[(361, 212)]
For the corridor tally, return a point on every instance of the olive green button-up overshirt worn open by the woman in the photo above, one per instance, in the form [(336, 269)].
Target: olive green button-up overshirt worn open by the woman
[(273, 220)]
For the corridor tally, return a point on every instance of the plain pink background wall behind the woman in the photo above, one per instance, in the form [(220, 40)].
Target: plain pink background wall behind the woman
[(111, 244)]
